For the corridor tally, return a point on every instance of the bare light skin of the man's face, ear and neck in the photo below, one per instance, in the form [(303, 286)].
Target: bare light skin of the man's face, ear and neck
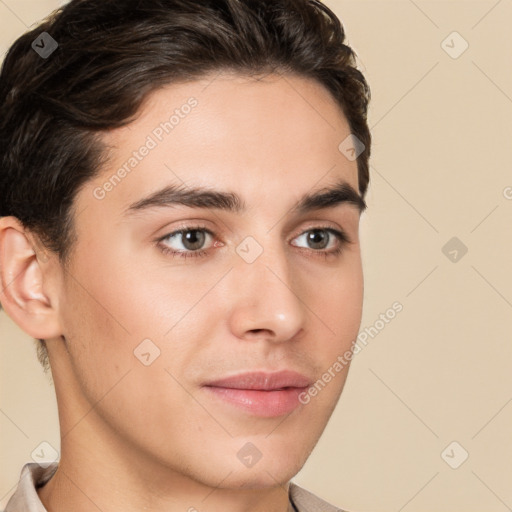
[(152, 432)]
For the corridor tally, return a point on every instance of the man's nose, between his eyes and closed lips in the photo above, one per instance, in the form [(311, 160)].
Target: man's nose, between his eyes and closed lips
[(266, 298)]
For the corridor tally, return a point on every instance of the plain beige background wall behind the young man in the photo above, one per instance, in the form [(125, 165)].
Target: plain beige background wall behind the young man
[(440, 371)]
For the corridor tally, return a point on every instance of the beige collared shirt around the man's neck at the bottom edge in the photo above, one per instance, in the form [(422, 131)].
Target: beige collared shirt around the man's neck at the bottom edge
[(33, 476)]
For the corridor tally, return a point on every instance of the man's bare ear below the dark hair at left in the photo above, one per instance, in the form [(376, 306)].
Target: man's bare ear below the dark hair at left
[(22, 292)]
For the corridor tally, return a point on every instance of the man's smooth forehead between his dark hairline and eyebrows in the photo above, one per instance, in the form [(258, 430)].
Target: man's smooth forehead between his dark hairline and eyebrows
[(267, 138)]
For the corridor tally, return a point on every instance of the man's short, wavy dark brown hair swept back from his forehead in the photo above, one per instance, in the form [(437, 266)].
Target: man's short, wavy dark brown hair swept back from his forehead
[(112, 54)]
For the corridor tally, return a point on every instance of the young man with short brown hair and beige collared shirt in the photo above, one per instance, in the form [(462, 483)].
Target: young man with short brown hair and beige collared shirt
[(181, 183)]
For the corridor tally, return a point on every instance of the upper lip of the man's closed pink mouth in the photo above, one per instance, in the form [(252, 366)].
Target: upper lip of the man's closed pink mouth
[(263, 380)]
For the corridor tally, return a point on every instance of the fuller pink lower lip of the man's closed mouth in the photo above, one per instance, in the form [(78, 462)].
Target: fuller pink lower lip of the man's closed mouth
[(267, 404)]
